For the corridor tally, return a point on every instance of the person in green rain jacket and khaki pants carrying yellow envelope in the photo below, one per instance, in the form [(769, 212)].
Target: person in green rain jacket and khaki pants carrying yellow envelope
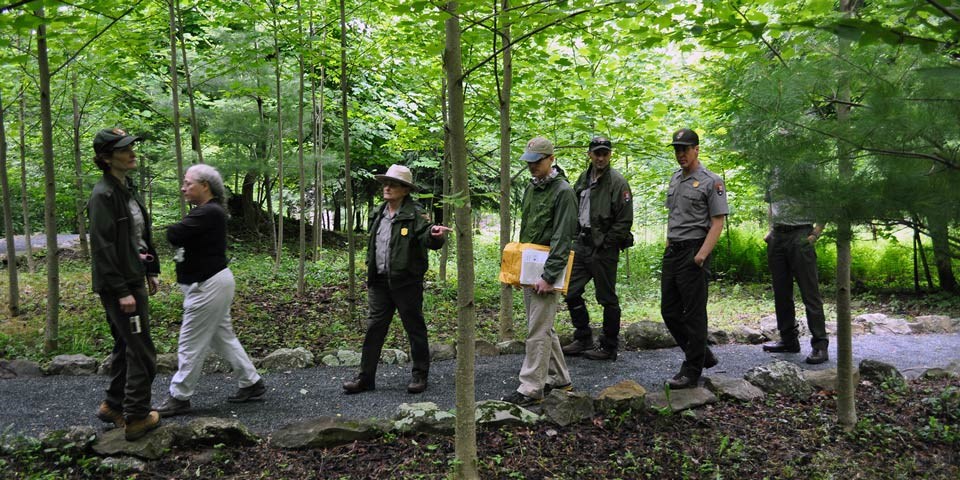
[(548, 217)]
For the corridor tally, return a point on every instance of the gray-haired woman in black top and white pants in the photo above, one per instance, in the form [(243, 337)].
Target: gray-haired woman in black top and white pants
[(208, 288)]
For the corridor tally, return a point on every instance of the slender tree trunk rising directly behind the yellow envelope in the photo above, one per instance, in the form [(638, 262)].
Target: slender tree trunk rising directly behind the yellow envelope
[(506, 291)]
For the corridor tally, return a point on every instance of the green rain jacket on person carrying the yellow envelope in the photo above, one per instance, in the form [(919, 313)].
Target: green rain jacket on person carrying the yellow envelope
[(549, 217)]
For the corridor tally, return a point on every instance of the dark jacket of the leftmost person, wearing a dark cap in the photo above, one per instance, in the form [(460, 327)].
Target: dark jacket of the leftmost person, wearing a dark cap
[(117, 268)]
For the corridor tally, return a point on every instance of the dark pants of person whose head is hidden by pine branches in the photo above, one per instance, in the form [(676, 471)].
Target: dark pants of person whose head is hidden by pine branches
[(791, 257)]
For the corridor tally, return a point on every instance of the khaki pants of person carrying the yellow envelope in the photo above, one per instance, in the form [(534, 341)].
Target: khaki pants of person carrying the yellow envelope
[(543, 362)]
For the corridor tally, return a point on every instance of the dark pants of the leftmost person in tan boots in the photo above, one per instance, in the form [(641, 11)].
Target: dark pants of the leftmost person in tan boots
[(134, 363)]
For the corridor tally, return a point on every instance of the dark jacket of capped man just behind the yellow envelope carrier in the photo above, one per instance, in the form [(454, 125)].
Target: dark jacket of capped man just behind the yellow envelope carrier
[(611, 208)]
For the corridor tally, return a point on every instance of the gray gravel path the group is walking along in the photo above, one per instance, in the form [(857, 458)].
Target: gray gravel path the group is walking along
[(34, 405)]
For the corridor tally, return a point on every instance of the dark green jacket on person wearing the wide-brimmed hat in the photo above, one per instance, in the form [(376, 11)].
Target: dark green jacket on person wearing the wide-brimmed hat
[(409, 240)]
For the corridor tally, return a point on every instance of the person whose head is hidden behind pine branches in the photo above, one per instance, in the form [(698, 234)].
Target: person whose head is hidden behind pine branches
[(791, 254)]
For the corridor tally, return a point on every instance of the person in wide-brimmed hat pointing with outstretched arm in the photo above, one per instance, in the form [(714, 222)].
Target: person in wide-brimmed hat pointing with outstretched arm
[(400, 234)]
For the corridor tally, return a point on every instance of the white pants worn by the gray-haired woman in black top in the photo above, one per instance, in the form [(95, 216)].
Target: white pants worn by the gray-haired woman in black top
[(206, 326)]
